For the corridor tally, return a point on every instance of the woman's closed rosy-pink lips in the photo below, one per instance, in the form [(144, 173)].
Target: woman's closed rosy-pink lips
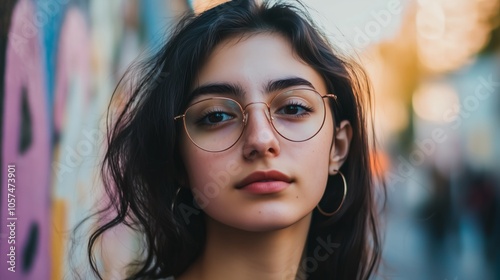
[(264, 182)]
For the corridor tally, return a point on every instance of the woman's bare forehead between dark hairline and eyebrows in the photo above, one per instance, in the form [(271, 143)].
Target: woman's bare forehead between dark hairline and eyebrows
[(251, 61)]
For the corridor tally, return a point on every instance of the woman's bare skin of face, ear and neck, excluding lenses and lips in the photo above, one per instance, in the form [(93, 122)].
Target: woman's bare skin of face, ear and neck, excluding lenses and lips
[(270, 229)]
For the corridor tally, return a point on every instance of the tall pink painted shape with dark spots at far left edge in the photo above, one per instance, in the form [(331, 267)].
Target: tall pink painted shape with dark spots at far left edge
[(26, 144)]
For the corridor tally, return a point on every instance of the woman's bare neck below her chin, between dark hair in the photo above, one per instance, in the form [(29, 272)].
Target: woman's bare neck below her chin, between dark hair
[(235, 254)]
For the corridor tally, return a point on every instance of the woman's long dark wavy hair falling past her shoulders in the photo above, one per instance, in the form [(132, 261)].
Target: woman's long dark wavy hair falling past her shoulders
[(142, 168)]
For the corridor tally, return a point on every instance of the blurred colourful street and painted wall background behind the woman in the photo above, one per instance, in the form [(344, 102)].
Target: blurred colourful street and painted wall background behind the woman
[(434, 66)]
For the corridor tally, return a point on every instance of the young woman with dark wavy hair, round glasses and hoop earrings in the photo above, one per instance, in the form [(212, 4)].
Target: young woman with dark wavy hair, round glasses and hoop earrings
[(242, 153)]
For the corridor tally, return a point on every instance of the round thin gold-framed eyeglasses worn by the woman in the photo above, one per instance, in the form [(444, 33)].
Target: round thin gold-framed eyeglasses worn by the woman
[(215, 124)]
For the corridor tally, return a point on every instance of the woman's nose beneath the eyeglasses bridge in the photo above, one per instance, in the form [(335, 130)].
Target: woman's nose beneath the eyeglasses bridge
[(260, 138)]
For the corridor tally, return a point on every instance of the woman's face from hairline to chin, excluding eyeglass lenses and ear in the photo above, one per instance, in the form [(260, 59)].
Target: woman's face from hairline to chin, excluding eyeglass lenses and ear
[(264, 182)]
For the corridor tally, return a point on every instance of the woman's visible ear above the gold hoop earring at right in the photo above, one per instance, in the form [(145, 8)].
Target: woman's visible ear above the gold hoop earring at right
[(340, 146)]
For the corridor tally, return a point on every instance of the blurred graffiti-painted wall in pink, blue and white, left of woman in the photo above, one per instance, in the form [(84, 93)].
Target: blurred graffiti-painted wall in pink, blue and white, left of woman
[(60, 61)]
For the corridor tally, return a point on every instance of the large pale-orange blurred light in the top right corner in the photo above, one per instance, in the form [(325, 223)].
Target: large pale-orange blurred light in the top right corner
[(450, 33)]
